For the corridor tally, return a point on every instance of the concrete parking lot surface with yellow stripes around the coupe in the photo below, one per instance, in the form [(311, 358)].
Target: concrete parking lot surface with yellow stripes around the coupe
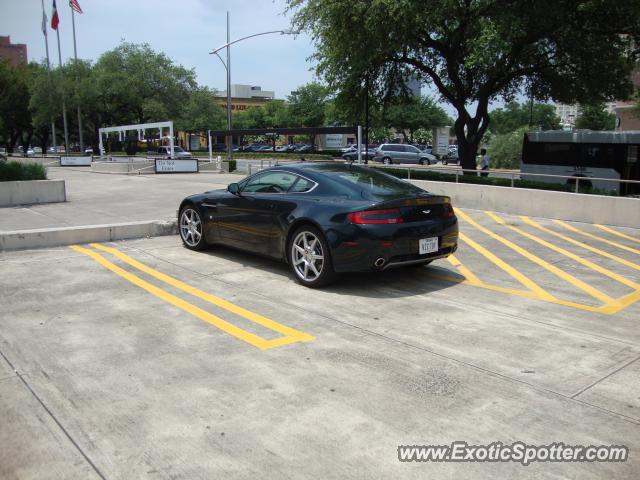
[(141, 359)]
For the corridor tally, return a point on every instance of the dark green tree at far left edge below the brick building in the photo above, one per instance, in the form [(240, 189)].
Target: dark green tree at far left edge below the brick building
[(15, 117)]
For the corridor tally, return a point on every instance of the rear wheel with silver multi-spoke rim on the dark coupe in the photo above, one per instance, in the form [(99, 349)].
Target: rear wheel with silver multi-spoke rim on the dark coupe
[(321, 273)]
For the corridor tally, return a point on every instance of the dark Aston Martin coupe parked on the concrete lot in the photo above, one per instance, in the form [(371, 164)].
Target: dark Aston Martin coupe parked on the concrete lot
[(290, 213)]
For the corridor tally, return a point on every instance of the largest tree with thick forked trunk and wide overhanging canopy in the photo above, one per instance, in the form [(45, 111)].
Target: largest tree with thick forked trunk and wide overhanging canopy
[(475, 51)]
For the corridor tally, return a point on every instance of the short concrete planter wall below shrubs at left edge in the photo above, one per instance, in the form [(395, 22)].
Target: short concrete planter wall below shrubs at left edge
[(31, 191)]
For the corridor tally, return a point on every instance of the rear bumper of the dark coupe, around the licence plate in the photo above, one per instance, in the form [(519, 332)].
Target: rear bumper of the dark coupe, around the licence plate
[(356, 248)]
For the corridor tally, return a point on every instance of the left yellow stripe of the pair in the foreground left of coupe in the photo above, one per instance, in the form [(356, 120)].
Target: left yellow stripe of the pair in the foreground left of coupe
[(223, 325)]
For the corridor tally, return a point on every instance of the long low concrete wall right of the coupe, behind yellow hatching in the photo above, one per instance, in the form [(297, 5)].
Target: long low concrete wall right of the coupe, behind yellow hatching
[(576, 207)]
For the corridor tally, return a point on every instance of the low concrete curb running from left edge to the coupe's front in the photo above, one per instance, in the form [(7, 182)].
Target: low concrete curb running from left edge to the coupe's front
[(56, 237)]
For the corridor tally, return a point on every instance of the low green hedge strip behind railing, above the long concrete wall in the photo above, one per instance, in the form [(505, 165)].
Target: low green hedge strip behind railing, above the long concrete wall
[(499, 182)]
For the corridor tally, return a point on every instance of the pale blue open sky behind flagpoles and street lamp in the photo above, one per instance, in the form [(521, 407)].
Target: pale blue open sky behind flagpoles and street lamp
[(186, 30)]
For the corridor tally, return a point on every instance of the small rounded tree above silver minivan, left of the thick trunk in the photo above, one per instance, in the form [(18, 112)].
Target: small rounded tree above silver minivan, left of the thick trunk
[(413, 113)]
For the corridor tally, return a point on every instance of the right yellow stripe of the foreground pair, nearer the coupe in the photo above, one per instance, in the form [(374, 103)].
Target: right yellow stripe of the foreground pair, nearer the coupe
[(220, 302)]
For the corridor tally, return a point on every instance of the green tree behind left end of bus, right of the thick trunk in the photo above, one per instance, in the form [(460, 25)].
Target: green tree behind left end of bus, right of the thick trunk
[(515, 115)]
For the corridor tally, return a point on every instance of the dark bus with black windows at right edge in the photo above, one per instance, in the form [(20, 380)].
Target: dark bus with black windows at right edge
[(585, 154)]
